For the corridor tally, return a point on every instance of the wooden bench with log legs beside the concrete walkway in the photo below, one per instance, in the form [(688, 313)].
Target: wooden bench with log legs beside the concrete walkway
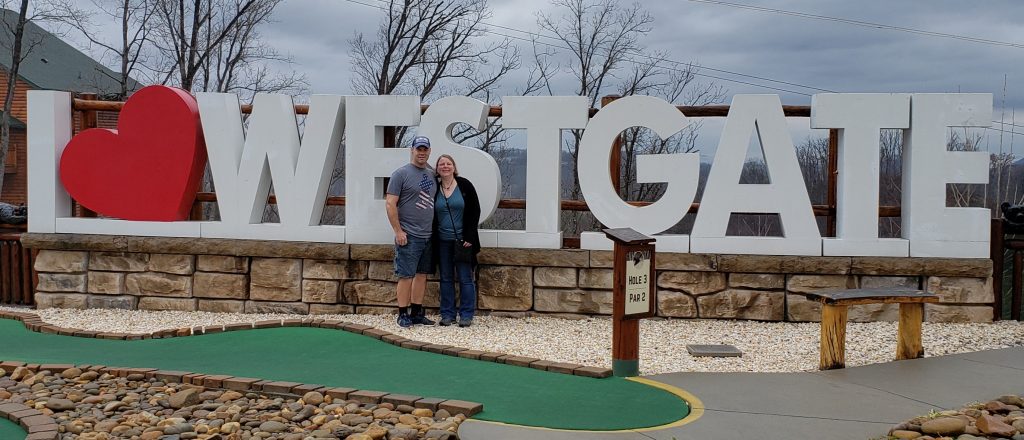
[(834, 309)]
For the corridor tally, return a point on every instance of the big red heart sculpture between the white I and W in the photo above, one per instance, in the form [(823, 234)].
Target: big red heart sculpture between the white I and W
[(150, 168)]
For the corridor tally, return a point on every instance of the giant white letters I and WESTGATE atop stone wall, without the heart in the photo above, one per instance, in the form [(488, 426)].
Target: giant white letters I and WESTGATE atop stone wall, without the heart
[(243, 162)]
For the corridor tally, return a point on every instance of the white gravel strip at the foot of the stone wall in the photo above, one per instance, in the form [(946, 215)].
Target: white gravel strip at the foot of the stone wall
[(767, 347)]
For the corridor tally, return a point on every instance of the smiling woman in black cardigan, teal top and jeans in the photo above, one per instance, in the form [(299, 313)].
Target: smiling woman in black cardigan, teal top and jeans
[(457, 213)]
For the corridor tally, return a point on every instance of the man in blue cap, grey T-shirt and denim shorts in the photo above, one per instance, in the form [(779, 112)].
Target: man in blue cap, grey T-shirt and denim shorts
[(411, 210)]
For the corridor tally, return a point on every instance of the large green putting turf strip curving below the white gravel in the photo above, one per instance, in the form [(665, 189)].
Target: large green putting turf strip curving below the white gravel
[(337, 359)]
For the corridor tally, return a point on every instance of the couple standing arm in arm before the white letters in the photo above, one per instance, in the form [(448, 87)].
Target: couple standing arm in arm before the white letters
[(435, 214)]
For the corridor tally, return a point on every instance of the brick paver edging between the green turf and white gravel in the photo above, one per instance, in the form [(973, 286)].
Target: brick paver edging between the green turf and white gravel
[(35, 324)]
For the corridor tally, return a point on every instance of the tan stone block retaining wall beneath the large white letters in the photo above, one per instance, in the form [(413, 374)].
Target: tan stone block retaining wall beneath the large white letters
[(252, 277)]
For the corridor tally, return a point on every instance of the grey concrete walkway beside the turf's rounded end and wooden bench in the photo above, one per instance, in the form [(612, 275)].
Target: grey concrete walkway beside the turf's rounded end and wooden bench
[(854, 404)]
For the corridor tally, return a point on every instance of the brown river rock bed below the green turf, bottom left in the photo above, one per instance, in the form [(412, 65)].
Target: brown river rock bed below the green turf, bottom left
[(92, 406)]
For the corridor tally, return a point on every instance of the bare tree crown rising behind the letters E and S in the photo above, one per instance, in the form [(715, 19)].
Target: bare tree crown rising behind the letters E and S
[(434, 49)]
